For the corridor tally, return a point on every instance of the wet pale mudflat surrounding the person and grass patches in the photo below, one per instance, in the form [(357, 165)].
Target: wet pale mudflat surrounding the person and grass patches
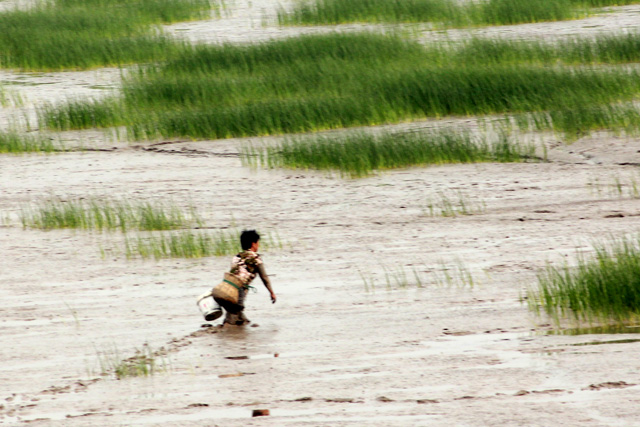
[(333, 351)]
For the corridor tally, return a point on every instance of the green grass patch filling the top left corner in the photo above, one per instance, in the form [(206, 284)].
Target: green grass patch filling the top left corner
[(65, 34)]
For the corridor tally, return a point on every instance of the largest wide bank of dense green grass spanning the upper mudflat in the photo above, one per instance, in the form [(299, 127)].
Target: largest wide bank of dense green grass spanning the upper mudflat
[(339, 80)]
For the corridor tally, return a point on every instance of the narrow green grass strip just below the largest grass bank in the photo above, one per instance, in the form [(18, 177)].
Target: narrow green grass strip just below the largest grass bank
[(358, 154)]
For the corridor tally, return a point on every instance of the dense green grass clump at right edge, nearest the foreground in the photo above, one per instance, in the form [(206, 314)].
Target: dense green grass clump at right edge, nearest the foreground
[(604, 288)]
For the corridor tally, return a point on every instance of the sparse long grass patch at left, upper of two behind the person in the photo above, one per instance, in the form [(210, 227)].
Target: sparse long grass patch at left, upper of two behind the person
[(104, 214)]
